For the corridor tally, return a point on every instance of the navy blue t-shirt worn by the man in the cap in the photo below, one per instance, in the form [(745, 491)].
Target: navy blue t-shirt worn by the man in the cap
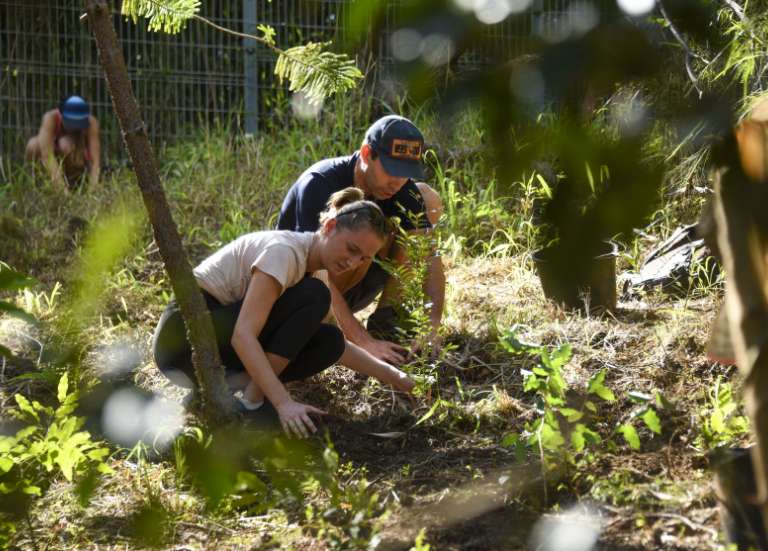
[(309, 196)]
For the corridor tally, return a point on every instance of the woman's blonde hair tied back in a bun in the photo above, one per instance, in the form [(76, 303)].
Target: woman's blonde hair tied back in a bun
[(352, 212)]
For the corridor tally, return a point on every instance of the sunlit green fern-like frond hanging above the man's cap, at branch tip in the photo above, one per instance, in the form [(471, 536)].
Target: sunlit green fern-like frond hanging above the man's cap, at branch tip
[(316, 72)]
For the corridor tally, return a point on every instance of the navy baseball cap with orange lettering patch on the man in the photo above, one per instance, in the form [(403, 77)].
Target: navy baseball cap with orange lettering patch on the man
[(399, 145)]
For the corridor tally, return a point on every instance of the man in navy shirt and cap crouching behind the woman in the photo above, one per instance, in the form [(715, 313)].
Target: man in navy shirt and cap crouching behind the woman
[(384, 168)]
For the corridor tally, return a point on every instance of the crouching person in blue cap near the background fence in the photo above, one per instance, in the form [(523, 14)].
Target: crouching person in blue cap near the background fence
[(68, 144)]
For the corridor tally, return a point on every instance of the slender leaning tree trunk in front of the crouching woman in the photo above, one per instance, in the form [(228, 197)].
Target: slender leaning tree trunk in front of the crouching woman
[(217, 402)]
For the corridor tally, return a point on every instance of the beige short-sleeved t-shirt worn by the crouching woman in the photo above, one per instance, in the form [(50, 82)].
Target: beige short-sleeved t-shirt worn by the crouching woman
[(282, 254)]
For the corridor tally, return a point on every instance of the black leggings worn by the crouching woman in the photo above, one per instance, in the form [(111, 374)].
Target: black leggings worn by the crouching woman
[(293, 330)]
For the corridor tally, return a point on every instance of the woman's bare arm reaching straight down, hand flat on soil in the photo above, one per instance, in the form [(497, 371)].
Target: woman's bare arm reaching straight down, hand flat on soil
[(262, 293)]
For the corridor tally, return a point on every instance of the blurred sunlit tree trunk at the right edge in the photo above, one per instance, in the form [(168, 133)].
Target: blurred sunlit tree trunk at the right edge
[(742, 237)]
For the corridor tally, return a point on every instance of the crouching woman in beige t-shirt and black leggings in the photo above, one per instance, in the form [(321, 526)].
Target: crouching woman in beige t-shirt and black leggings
[(269, 313)]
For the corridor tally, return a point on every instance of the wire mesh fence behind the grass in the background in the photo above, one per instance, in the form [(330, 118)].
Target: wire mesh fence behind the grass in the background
[(201, 76)]
